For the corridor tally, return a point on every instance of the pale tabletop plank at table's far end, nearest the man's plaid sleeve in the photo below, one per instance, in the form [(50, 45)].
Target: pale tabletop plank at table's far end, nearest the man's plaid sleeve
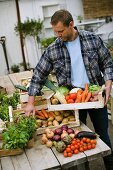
[(16, 77)]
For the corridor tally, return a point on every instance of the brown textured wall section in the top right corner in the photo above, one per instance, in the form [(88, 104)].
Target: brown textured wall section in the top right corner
[(97, 8)]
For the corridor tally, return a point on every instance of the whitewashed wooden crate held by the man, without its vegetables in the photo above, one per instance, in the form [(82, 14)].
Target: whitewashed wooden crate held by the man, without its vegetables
[(77, 106)]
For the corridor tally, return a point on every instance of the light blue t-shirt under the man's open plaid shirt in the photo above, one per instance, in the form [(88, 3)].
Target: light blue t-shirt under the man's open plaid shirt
[(78, 72)]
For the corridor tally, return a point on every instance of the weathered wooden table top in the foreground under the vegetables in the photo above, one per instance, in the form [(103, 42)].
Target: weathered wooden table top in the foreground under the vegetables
[(42, 158)]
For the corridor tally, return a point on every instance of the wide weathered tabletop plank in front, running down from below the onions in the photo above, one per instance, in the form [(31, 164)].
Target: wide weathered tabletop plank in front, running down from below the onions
[(41, 157)]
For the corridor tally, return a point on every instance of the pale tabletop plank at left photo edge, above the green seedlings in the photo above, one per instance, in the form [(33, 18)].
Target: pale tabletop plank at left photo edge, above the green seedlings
[(6, 83)]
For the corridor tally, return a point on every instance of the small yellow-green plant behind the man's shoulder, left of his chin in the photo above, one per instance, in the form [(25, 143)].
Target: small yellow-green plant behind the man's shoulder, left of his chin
[(47, 41)]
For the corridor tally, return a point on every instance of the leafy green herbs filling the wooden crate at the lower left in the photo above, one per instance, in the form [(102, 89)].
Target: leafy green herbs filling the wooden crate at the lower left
[(19, 133)]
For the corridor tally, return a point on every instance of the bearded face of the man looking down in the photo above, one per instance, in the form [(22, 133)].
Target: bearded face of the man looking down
[(64, 32)]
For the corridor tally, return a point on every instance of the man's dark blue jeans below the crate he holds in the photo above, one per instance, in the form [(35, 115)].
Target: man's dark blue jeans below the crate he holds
[(99, 118)]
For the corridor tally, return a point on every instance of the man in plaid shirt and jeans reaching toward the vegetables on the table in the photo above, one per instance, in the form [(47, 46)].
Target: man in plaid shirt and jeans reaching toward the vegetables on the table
[(77, 57)]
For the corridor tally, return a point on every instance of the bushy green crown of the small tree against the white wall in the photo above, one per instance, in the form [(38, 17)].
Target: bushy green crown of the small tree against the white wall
[(30, 27)]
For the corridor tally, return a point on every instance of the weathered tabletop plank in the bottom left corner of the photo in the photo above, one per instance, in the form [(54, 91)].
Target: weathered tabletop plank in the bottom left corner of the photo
[(6, 163)]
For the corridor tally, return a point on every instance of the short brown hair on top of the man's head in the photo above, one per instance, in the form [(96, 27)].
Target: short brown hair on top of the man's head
[(63, 16)]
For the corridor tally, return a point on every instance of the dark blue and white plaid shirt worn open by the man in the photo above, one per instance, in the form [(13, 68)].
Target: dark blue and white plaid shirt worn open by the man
[(96, 57)]
